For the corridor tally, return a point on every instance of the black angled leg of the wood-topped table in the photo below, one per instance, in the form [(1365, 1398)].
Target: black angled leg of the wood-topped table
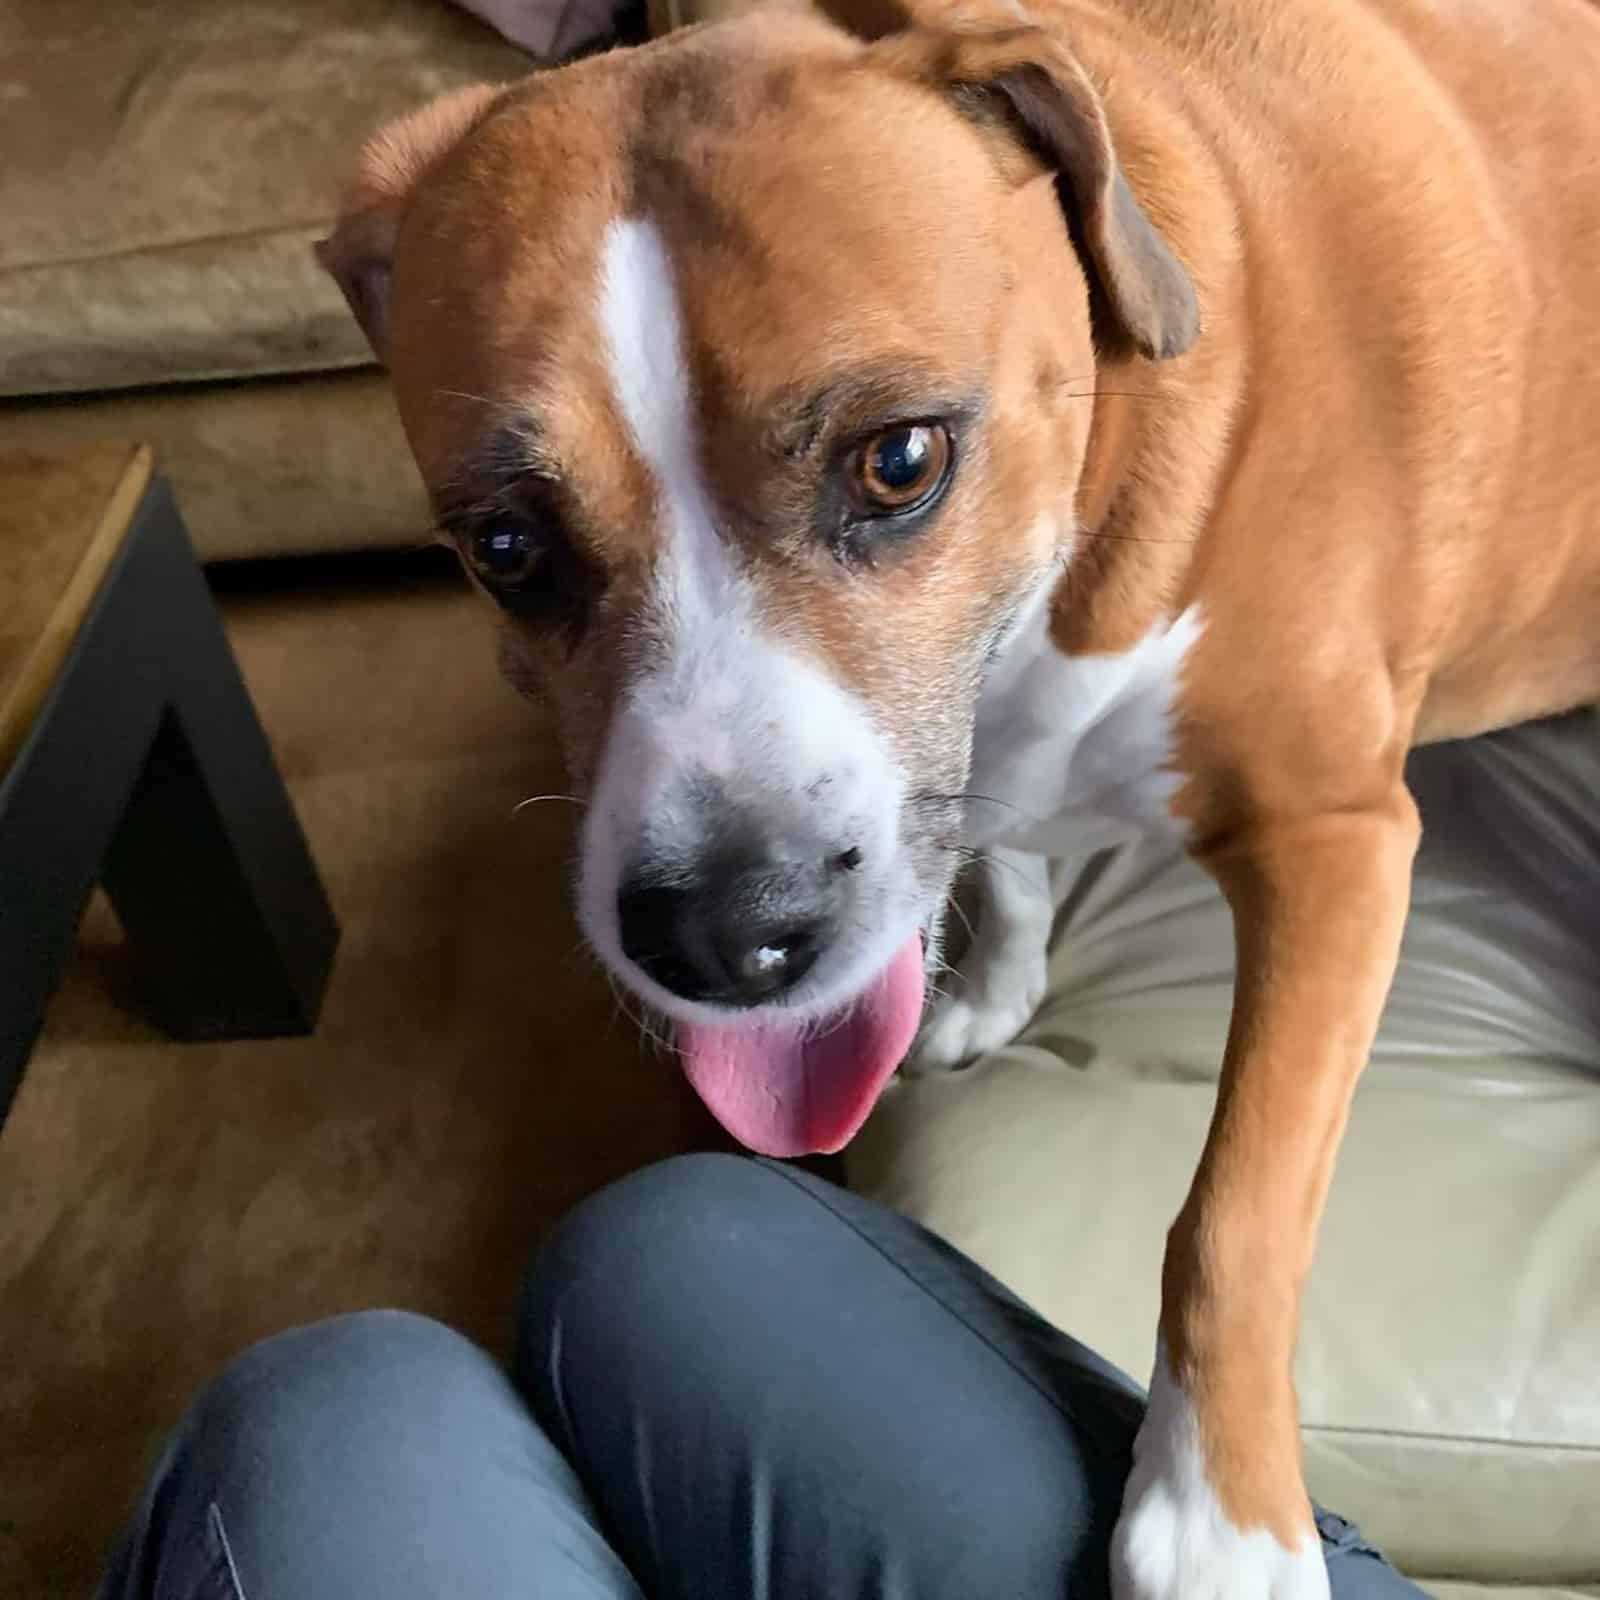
[(148, 770)]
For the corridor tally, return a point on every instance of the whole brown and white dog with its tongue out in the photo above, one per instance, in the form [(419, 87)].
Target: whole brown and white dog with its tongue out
[(894, 434)]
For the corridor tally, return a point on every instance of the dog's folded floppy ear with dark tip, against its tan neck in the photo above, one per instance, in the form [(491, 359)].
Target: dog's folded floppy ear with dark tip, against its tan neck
[(1140, 290)]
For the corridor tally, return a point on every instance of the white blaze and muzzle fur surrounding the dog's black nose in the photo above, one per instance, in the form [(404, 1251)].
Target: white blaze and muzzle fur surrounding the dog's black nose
[(716, 694)]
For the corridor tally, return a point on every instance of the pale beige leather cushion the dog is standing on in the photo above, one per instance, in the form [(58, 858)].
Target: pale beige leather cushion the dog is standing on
[(1450, 1366)]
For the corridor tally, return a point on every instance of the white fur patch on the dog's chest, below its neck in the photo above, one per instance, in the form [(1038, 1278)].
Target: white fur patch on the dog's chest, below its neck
[(1066, 738)]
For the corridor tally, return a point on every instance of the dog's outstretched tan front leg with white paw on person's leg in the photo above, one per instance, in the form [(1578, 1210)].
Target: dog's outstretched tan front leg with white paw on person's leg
[(1217, 1506)]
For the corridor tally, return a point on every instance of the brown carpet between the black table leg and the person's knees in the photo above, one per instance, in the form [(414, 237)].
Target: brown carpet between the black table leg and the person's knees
[(164, 1206)]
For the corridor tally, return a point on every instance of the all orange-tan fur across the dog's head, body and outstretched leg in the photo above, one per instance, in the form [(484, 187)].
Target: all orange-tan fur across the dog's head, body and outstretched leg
[(1374, 471)]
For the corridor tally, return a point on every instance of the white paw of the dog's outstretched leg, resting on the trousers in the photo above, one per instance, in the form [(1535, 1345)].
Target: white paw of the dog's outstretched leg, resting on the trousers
[(1175, 1542)]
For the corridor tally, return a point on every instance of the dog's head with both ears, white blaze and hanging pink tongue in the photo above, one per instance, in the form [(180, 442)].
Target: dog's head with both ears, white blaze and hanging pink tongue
[(746, 372)]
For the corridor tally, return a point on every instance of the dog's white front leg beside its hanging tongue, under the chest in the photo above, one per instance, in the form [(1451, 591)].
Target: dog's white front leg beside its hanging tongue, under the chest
[(1002, 977)]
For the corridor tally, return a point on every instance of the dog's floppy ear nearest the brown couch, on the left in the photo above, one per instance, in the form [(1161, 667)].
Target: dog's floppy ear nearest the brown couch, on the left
[(361, 250)]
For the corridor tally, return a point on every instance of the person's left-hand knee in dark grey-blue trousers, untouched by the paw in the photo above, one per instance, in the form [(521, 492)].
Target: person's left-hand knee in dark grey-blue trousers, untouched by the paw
[(377, 1454)]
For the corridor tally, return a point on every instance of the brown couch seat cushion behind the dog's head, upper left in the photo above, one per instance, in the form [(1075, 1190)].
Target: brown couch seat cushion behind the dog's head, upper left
[(169, 164)]
